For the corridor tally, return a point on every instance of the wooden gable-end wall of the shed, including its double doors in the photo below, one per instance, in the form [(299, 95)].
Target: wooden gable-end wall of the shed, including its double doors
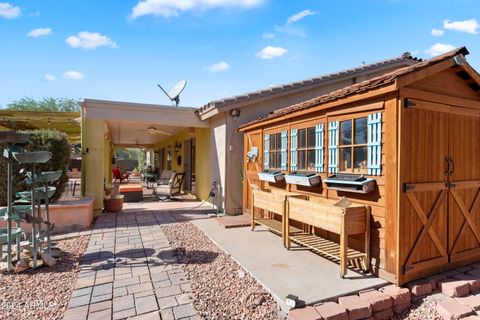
[(447, 107)]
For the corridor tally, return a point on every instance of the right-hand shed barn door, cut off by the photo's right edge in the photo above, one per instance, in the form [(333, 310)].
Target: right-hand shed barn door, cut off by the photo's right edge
[(464, 198)]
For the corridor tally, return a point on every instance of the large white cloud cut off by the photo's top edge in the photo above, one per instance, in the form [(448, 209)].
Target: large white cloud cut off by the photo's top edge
[(172, 8)]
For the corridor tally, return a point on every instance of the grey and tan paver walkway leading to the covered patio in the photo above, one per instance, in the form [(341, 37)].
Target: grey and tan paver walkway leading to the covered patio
[(130, 269)]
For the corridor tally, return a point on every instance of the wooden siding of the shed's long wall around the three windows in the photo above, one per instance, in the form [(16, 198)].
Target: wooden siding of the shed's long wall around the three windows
[(377, 199)]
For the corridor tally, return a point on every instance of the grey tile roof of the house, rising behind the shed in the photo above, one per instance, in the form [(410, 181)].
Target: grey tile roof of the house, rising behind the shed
[(271, 91)]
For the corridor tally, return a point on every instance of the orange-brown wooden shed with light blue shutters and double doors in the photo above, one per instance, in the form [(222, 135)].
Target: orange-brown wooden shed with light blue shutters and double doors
[(406, 145)]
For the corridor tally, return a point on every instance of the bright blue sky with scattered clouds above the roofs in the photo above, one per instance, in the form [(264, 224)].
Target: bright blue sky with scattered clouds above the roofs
[(120, 50)]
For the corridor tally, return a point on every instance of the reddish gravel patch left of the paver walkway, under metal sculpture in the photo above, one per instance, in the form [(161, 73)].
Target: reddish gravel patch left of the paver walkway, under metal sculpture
[(43, 293)]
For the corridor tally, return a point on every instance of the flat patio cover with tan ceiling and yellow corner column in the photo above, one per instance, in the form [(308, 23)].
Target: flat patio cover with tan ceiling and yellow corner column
[(106, 124)]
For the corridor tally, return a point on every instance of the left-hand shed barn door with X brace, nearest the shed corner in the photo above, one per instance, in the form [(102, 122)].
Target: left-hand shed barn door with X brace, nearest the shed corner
[(423, 205)]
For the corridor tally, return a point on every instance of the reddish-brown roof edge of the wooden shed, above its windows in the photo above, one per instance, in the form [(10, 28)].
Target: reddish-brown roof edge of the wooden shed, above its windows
[(357, 88)]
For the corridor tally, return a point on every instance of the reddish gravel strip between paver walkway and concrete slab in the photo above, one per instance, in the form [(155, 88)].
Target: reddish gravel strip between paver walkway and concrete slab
[(222, 289)]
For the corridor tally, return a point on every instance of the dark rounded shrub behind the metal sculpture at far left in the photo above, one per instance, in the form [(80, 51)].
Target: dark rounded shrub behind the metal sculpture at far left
[(40, 140)]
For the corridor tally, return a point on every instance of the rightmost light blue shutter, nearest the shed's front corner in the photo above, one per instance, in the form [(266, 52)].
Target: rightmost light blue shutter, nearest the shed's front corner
[(375, 144)]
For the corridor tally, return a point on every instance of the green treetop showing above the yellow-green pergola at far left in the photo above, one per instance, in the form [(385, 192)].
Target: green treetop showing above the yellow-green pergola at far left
[(45, 104)]
